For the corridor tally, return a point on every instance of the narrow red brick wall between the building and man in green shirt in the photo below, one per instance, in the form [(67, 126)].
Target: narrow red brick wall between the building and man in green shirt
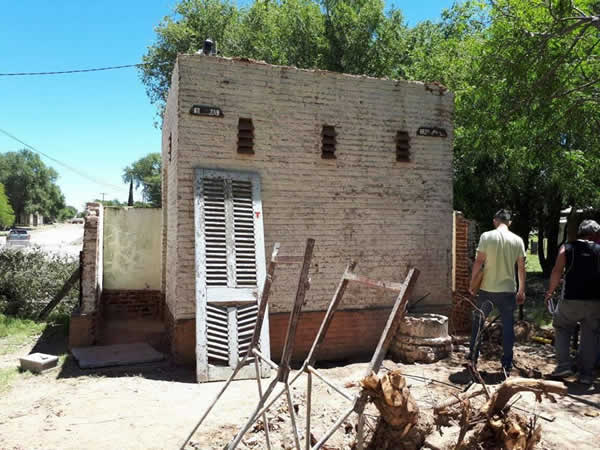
[(465, 242)]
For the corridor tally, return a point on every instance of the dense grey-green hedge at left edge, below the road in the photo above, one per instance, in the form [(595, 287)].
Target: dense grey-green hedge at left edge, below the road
[(29, 279)]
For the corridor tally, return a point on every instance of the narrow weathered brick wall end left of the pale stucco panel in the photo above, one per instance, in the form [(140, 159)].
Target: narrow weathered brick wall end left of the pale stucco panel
[(91, 274)]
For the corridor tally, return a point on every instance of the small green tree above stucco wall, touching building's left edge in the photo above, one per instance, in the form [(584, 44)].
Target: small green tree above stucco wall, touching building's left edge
[(146, 173)]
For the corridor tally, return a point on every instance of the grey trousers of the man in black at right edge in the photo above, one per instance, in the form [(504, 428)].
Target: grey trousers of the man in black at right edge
[(564, 320)]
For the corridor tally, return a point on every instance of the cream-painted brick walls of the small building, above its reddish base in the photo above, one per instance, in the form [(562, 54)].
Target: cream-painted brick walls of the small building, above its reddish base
[(363, 205)]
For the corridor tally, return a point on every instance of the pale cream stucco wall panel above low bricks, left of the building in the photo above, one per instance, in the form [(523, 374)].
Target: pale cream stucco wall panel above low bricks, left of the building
[(132, 248)]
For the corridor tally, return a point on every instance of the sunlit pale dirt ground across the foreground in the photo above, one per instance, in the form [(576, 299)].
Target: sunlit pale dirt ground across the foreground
[(155, 407)]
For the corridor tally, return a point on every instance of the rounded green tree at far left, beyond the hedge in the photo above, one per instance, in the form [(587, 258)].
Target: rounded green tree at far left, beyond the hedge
[(30, 185)]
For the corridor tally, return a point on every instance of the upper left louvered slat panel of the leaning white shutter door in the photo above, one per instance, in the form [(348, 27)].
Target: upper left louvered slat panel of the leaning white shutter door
[(213, 190)]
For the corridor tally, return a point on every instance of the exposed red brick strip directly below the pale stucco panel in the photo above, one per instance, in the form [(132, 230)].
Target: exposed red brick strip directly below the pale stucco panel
[(132, 303)]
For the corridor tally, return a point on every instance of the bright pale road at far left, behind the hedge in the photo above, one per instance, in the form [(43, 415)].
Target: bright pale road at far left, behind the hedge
[(61, 239)]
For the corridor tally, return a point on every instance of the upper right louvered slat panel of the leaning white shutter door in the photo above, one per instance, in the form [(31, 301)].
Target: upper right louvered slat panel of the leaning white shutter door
[(243, 225)]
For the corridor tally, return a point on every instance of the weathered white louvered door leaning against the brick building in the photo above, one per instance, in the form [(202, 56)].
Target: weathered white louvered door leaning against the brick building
[(230, 269)]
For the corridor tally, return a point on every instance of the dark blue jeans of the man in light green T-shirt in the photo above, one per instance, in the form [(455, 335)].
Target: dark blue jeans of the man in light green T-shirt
[(506, 303)]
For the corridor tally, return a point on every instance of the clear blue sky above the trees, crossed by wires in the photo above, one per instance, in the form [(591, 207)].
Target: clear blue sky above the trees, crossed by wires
[(99, 122)]
